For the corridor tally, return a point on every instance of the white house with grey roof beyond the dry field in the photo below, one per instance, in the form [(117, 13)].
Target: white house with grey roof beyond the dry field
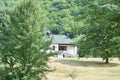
[(63, 45)]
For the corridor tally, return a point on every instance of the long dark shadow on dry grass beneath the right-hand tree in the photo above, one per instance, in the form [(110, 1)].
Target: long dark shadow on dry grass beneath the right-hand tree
[(86, 63)]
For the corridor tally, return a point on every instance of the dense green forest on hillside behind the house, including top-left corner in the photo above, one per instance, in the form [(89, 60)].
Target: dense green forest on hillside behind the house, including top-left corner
[(66, 16)]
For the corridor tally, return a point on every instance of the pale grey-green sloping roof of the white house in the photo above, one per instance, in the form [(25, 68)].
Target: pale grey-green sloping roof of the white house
[(61, 39)]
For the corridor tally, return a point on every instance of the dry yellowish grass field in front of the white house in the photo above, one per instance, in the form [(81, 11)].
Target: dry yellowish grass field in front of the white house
[(84, 69)]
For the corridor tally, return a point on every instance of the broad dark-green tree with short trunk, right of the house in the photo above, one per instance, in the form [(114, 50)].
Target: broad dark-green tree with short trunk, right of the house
[(102, 23)]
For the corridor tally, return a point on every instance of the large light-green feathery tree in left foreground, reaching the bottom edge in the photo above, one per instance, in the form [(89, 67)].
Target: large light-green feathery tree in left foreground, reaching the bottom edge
[(22, 44)]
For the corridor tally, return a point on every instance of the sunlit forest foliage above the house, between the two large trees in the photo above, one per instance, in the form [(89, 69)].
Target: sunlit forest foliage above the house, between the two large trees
[(61, 14)]
